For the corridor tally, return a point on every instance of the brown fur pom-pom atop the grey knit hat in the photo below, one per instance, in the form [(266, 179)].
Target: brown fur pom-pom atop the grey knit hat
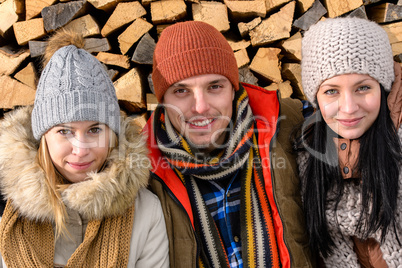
[(61, 39)]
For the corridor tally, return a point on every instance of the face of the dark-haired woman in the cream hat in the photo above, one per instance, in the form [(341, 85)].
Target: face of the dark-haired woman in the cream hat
[(349, 103)]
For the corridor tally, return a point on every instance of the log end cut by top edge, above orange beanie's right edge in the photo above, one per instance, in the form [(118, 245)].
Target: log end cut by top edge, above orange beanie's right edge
[(245, 10)]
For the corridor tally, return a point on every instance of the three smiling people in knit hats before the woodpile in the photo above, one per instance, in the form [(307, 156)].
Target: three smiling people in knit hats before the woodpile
[(222, 160)]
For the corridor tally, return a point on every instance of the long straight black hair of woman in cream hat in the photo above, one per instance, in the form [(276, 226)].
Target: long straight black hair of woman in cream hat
[(379, 164)]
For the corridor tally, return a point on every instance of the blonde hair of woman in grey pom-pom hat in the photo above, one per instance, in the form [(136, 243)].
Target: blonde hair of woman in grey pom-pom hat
[(56, 183)]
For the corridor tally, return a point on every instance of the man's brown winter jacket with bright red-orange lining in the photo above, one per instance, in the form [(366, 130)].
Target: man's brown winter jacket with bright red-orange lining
[(279, 182)]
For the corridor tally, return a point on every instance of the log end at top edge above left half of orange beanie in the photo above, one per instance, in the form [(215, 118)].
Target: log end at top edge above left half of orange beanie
[(166, 11)]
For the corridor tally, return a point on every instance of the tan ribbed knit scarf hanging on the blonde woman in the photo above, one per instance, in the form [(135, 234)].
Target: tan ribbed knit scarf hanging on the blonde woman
[(28, 243)]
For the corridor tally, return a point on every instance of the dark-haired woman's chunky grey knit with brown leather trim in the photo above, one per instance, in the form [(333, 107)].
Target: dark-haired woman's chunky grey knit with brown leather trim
[(351, 250)]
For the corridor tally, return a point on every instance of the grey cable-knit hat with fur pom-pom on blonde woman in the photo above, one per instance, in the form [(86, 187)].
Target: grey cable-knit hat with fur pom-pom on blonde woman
[(73, 86)]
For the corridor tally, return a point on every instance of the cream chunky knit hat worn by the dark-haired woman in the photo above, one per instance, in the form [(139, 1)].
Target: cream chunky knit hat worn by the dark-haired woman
[(343, 46)]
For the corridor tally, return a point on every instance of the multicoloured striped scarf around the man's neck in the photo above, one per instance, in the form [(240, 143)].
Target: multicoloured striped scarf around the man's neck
[(259, 246)]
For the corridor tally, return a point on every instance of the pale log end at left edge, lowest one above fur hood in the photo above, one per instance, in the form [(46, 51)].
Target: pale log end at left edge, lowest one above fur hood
[(15, 93)]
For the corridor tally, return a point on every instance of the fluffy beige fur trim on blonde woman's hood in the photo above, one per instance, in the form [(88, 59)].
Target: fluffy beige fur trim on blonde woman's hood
[(106, 193)]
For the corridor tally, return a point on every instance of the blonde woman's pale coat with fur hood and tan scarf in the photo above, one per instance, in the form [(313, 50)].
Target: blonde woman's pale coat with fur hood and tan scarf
[(113, 202)]
